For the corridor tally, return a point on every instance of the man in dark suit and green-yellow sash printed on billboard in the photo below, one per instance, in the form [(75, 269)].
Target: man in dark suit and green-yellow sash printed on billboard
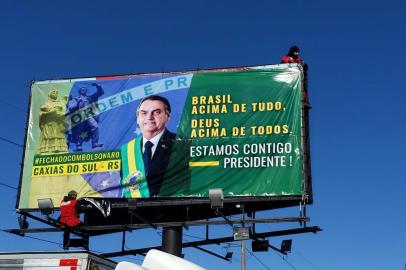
[(145, 158)]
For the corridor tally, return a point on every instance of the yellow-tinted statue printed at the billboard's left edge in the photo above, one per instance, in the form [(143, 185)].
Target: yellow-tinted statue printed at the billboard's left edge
[(52, 125)]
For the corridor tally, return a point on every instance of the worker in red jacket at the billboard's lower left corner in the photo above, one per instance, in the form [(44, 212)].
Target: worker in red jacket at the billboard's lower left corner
[(69, 215)]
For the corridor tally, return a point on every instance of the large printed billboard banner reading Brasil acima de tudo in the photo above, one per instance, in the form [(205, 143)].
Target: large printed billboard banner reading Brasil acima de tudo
[(166, 135)]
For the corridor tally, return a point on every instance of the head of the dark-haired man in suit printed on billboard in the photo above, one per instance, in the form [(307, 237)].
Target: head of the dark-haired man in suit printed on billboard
[(152, 115)]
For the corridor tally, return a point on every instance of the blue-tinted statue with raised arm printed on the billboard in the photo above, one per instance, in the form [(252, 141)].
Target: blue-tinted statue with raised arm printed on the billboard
[(89, 128)]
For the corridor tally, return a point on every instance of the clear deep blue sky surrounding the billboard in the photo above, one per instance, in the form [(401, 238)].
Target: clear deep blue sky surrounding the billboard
[(356, 82)]
